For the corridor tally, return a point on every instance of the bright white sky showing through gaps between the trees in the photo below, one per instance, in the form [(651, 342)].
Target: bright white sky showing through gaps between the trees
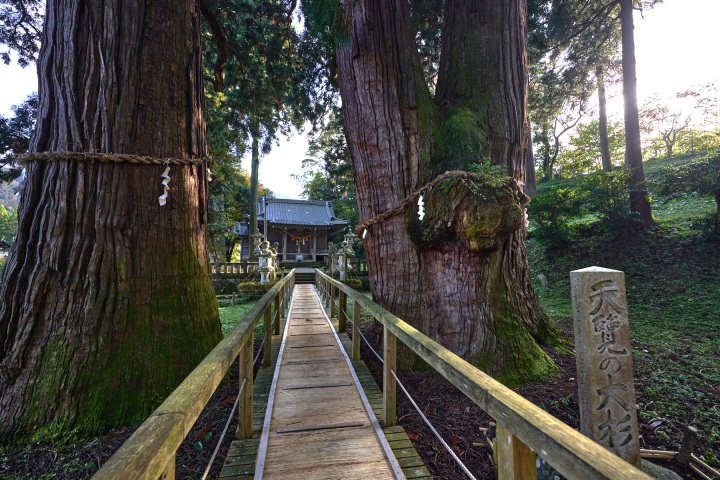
[(676, 48)]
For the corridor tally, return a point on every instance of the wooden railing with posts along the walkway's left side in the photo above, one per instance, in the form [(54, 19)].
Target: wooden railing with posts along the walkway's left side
[(150, 452)]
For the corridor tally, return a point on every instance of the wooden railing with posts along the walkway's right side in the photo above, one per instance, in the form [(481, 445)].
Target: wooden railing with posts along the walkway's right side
[(524, 429)]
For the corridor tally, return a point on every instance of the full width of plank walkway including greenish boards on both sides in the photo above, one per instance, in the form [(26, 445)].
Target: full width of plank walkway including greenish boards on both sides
[(320, 425)]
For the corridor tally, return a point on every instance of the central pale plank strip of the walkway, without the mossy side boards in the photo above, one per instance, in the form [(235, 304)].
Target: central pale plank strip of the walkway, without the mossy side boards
[(318, 425)]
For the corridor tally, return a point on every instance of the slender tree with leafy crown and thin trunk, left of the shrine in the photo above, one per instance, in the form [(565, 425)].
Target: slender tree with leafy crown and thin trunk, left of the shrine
[(258, 67)]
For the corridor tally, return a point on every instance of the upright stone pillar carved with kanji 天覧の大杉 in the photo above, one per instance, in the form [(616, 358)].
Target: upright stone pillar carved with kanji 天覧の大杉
[(604, 363)]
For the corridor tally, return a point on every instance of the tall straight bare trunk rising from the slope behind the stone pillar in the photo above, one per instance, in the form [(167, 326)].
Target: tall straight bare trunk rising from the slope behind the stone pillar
[(639, 199)]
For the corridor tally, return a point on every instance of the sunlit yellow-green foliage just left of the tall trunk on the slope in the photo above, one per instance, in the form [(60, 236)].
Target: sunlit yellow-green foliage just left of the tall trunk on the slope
[(583, 155)]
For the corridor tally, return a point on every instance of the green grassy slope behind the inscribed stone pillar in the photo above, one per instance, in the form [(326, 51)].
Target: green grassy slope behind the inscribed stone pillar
[(673, 284)]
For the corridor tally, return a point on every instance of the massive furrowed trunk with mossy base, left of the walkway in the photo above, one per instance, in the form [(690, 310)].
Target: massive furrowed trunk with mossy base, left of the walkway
[(107, 302)]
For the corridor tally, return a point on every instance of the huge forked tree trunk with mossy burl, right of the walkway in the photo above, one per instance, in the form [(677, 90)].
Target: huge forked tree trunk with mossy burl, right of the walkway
[(461, 275)]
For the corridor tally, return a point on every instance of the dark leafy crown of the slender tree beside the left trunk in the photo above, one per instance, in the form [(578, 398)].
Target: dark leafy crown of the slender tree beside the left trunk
[(263, 97)]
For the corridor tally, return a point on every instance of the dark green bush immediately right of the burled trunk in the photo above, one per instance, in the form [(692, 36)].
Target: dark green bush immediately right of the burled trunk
[(552, 213)]
